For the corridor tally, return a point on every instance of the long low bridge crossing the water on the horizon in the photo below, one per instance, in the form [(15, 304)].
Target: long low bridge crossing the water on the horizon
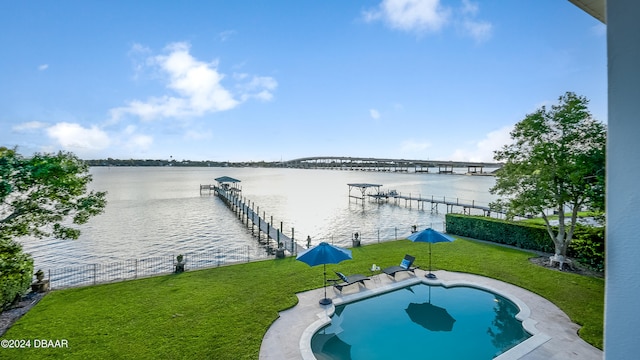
[(392, 165)]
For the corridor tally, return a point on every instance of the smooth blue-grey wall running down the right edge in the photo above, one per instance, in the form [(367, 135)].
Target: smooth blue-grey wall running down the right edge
[(622, 295)]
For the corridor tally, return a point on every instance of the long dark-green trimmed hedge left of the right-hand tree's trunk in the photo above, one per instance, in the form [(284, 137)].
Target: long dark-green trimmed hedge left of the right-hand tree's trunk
[(525, 236)]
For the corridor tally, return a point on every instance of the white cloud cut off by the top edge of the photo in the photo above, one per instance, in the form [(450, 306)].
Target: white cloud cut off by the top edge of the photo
[(410, 15)]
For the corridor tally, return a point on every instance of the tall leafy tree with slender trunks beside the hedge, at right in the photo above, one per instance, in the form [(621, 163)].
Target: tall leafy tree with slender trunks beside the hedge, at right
[(556, 161)]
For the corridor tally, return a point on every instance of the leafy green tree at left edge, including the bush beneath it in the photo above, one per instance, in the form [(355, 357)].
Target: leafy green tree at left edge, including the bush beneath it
[(43, 195)]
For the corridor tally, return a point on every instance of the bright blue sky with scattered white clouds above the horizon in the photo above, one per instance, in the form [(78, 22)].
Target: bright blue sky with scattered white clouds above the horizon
[(269, 80)]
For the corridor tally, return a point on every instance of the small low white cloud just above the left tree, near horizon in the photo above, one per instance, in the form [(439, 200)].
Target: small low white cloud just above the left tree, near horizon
[(73, 137)]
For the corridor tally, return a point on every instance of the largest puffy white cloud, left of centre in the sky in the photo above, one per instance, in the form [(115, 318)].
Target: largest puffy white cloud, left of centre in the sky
[(196, 88)]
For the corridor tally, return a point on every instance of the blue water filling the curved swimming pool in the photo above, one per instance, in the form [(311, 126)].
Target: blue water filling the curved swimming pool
[(422, 322)]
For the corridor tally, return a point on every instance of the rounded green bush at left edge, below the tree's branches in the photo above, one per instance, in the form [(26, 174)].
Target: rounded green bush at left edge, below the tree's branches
[(16, 272)]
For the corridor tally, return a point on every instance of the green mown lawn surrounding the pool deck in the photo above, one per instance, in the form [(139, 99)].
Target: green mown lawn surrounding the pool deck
[(223, 313)]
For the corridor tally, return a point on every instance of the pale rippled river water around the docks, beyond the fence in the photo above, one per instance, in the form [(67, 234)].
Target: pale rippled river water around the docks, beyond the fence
[(159, 211)]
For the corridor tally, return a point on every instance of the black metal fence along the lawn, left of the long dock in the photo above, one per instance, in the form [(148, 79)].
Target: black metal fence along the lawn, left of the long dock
[(91, 274)]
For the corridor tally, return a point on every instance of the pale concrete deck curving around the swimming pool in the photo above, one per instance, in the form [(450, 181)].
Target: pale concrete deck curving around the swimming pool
[(555, 336)]
